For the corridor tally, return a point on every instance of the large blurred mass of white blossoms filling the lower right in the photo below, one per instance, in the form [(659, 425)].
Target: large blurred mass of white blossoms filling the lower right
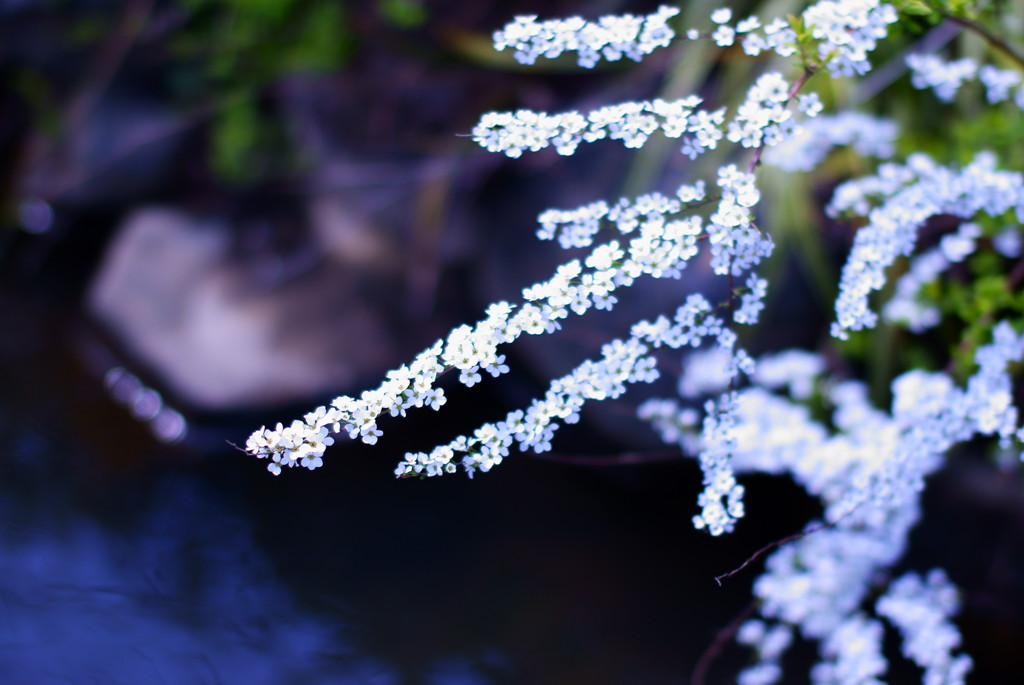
[(869, 473)]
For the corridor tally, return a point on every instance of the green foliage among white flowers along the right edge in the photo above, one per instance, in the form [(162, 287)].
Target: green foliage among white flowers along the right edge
[(974, 296)]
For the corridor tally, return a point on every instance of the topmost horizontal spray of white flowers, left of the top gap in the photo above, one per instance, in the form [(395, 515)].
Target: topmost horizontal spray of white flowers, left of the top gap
[(611, 37)]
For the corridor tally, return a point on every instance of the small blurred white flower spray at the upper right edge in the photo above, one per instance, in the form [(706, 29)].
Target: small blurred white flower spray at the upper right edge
[(946, 78)]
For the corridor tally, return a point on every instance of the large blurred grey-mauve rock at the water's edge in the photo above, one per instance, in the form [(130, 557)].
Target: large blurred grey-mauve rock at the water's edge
[(224, 332)]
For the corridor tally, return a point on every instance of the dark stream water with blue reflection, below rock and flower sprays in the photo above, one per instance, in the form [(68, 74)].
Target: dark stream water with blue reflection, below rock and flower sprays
[(127, 562)]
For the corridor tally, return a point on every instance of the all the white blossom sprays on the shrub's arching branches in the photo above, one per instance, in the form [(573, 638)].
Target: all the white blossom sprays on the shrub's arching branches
[(867, 466)]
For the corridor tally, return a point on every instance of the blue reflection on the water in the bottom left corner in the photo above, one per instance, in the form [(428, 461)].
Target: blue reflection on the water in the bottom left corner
[(182, 596)]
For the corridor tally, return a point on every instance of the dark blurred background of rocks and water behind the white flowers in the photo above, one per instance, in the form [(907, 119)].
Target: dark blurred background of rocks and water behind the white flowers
[(219, 215)]
